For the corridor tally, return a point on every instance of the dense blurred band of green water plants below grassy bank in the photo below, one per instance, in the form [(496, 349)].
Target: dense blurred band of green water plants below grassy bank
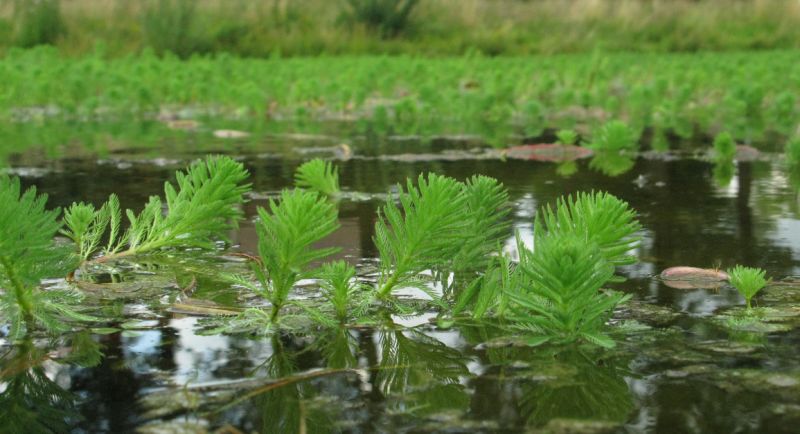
[(752, 95)]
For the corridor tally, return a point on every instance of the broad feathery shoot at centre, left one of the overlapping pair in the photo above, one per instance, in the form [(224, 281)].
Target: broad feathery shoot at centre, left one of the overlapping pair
[(425, 230)]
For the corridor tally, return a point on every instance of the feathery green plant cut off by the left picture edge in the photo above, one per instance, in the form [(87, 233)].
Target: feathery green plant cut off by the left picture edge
[(28, 255)]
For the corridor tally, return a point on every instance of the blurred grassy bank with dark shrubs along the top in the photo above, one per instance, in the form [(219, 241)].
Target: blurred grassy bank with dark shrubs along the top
[(262, 28)]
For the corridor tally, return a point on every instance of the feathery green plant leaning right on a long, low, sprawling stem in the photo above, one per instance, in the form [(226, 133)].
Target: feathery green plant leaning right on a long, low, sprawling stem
[(203, 207)]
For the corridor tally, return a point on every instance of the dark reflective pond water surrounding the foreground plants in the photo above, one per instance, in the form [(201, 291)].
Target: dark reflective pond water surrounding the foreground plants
[(678, 366)]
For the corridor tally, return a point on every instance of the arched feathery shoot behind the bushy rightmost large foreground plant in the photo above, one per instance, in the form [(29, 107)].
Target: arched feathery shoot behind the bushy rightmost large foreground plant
[(598, 218)]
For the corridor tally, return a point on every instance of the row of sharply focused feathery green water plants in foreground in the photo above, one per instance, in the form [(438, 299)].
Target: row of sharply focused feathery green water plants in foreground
[(435, 234)]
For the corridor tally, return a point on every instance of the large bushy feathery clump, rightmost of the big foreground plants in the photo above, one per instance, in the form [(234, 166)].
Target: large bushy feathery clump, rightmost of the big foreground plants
[(578, 247)]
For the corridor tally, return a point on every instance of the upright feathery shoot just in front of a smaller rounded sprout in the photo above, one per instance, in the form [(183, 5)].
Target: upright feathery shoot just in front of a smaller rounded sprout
[(286, 235)]
